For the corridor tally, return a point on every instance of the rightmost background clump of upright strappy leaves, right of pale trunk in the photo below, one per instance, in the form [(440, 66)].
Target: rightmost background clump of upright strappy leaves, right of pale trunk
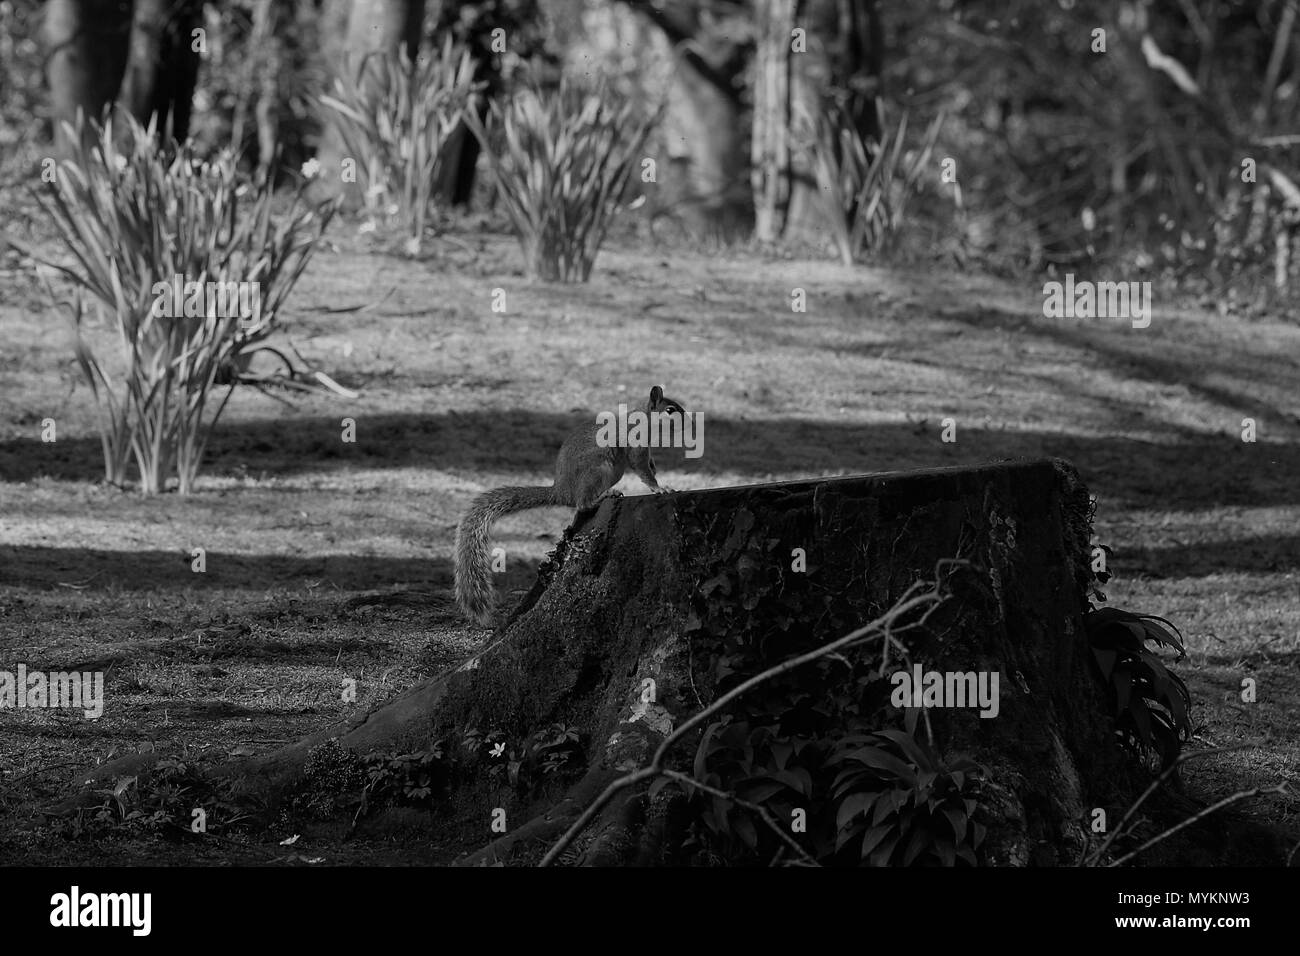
[(865, 184)]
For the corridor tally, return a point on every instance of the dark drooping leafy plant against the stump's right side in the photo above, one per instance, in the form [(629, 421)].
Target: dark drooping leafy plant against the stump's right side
[(1150, 704)]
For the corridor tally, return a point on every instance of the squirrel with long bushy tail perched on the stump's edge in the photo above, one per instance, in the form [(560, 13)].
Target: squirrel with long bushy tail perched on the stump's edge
[(584, 475)]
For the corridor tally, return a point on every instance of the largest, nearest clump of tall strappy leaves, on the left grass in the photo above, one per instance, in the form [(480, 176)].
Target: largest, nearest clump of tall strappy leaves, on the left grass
[(135, 217)]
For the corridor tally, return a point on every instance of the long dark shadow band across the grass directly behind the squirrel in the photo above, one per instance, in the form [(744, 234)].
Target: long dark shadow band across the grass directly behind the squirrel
[(1191, 471)]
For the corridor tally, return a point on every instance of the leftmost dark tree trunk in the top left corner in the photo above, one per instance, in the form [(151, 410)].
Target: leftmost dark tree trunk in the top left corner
[(86, 44)]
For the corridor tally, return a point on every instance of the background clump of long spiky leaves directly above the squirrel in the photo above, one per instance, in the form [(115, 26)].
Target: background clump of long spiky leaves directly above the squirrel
[(562, 165)]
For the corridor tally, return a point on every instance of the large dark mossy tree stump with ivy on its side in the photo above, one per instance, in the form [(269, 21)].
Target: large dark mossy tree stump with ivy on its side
[(623, 633)]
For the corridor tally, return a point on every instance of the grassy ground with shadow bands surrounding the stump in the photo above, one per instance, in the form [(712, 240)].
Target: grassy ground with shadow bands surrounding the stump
[(457, 399)]
